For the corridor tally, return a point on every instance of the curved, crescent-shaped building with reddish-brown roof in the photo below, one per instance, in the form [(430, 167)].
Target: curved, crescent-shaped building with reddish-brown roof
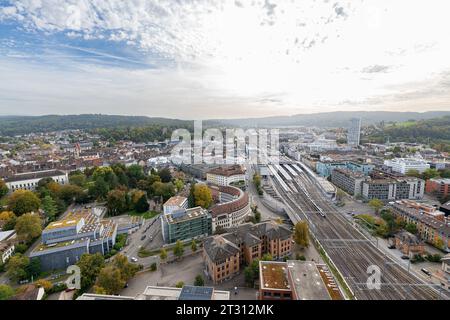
[(232, 209)]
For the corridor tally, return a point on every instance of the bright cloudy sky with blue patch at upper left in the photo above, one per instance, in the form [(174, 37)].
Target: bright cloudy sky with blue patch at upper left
[(193, 59)]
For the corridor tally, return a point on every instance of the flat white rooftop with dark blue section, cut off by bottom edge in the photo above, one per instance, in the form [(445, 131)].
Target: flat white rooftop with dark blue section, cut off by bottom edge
[(187, 293)]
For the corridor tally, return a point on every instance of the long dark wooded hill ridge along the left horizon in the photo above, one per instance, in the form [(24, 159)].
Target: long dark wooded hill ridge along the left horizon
[(19, 125)]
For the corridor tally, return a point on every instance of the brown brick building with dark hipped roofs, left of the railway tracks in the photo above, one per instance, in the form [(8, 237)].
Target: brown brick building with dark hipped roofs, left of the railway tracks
[(224, 255)]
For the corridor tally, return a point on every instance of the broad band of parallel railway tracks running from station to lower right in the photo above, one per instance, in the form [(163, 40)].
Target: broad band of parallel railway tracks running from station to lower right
[(351, 252)]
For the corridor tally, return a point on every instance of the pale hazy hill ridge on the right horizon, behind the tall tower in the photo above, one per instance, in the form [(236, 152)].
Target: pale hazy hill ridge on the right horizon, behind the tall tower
[(329, 119)]
